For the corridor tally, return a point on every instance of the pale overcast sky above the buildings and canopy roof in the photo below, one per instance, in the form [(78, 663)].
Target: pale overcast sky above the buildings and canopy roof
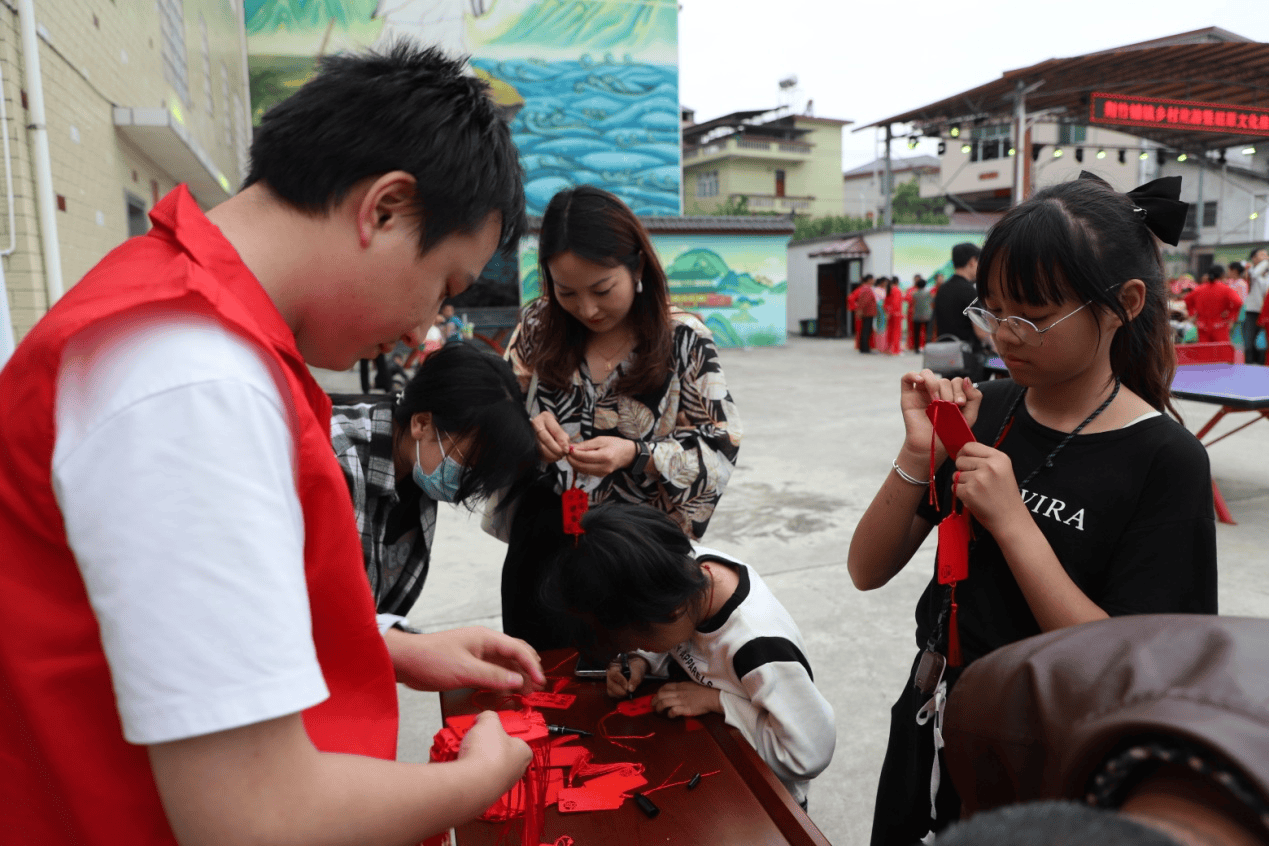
[(867, 60)]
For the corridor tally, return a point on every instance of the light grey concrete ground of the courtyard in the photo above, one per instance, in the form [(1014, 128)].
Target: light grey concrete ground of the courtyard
[(822, 427)]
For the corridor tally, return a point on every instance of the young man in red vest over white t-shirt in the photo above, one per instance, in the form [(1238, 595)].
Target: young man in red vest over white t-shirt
[(190, 650)]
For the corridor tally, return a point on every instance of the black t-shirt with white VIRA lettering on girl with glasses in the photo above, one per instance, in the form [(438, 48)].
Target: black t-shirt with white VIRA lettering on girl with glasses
[(1129, 513)]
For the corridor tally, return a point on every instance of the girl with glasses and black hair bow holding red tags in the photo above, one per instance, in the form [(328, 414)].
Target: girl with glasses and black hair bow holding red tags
[(1086, 499)]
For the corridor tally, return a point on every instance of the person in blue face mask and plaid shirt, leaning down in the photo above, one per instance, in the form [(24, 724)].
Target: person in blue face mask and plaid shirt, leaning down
[(457, 433)]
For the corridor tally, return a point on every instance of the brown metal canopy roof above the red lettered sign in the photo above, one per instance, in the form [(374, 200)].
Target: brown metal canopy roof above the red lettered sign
[(1210, 65)]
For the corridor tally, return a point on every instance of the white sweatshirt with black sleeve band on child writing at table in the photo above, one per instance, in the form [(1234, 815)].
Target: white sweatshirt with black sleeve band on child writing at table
[(753, 654)]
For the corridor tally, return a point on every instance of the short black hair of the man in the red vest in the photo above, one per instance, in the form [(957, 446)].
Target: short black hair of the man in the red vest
[(411, 110)]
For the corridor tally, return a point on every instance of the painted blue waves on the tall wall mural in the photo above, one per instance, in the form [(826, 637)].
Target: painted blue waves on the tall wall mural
[(610, 124)]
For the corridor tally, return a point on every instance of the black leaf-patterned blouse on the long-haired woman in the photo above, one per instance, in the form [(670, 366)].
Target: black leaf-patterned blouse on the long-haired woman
[(690, 424)]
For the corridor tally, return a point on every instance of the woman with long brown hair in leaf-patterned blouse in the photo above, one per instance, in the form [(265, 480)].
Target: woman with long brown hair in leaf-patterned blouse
[(628, 396)]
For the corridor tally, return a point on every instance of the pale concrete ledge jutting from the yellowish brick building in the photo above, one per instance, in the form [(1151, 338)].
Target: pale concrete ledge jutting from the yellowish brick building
[(168, 143)]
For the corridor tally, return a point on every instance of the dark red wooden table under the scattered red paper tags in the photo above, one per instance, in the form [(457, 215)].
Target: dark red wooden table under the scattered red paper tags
[(744, 805)]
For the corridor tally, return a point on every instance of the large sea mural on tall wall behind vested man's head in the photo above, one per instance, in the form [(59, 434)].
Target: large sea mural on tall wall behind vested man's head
[(591, 87)]
